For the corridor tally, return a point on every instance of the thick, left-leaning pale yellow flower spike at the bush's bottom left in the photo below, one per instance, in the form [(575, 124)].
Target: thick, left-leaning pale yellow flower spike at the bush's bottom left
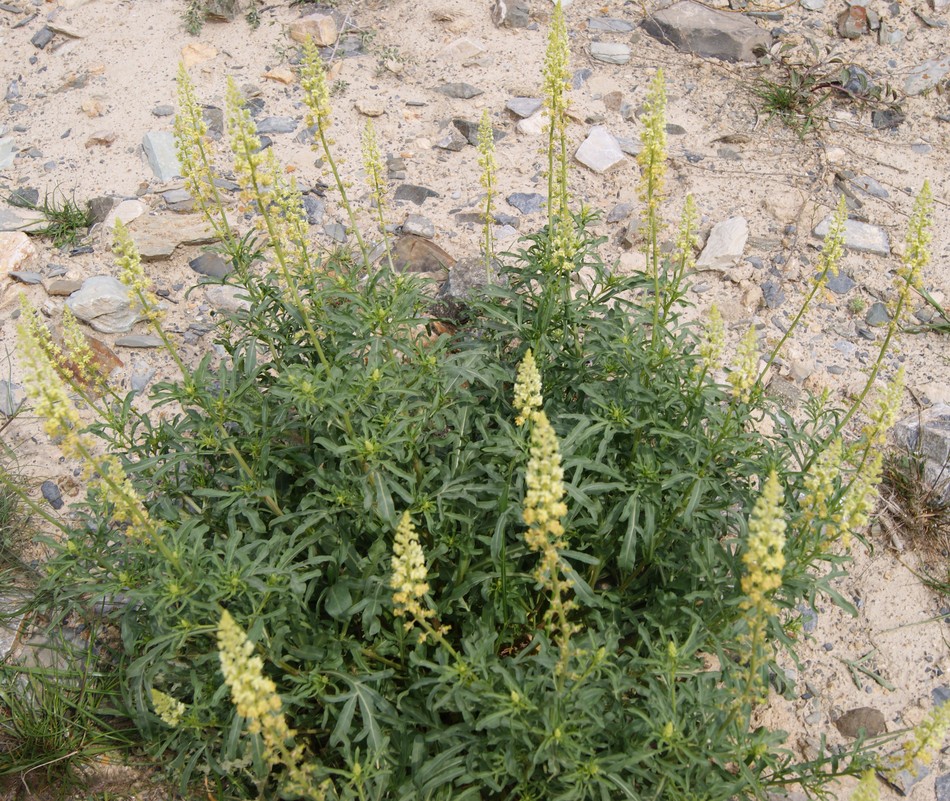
[(254, 694)]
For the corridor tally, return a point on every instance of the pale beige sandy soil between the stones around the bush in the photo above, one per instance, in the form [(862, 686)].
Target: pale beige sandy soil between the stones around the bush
[(119, 64)]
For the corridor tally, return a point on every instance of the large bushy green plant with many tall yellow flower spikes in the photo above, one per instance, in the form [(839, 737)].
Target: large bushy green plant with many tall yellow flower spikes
[(545, 556)]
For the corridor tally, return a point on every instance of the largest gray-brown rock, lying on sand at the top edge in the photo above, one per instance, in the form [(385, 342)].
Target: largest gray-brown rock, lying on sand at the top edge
[(694, 28)]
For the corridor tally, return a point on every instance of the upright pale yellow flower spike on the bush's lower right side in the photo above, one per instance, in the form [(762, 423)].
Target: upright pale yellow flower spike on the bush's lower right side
[(764, 557)]
